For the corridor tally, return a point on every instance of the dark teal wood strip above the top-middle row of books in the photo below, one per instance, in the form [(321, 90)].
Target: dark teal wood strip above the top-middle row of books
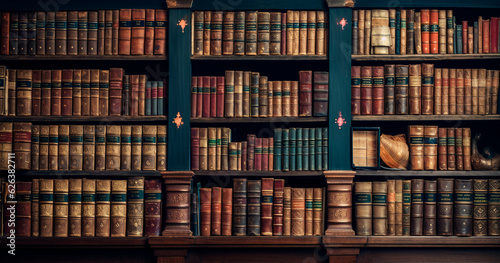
[(258, 4)]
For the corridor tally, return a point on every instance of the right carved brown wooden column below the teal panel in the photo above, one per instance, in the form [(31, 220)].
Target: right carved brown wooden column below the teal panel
[(339, 202)]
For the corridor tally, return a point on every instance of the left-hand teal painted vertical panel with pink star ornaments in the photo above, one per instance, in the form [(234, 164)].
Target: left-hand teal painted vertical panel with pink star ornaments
[(179, 92)]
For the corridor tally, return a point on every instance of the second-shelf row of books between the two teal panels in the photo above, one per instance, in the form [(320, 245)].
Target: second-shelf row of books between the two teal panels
[(248, 94)]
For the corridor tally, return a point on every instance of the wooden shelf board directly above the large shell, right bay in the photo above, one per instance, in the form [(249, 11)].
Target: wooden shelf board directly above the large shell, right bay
[(495, 117)]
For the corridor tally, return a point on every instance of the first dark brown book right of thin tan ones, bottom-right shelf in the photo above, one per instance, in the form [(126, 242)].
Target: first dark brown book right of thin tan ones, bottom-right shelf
[(417, 207)]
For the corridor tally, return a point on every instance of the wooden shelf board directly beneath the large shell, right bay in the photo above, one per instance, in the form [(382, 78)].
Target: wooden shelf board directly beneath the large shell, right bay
[(410, 173)]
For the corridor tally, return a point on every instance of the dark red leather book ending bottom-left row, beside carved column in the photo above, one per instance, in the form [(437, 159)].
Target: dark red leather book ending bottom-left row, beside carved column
[(152, 207)]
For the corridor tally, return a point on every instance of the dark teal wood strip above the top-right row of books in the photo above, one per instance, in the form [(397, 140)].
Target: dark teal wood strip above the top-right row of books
[(427, 3)]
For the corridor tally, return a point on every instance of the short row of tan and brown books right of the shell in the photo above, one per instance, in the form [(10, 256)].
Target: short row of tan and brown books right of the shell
[(432, 147)]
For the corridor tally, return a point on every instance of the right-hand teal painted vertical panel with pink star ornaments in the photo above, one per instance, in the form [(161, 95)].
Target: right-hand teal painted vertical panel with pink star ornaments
[(339, 145)]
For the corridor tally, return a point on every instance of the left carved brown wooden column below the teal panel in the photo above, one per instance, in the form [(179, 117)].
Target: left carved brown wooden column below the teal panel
[(177, 202)]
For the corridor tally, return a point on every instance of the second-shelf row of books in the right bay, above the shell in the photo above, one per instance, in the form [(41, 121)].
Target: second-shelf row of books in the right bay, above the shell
[(423, 89)]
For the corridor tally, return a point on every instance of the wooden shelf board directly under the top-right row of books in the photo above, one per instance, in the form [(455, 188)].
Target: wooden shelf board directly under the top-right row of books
[(424, 57)]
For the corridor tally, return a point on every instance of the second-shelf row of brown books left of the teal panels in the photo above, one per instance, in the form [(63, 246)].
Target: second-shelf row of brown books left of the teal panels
[(79, 92)]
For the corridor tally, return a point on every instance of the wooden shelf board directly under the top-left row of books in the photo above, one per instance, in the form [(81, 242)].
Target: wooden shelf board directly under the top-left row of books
[(81, 57)]
